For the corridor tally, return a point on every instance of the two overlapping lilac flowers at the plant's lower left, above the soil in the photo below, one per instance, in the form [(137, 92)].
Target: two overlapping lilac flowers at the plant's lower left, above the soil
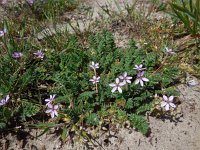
[(52, 109)]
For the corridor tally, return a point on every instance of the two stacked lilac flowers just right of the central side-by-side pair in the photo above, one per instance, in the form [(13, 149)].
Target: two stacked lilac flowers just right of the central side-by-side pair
[(140, 75)]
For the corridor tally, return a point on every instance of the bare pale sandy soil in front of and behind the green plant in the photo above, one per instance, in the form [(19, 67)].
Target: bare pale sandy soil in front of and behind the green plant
[(182, 134)]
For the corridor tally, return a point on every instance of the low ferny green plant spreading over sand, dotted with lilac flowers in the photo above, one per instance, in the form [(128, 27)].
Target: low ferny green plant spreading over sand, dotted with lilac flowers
[(78, 85)]
